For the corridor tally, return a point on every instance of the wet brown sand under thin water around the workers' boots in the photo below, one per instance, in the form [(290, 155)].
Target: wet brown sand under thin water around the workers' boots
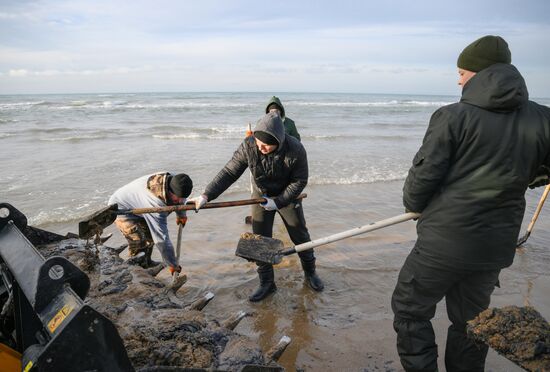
[(349, 325)]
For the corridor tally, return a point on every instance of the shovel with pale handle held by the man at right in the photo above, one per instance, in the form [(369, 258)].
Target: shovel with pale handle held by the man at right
[(271, 251)]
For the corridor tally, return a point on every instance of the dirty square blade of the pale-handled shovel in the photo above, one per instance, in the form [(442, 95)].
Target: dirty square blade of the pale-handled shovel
[(259, 248)]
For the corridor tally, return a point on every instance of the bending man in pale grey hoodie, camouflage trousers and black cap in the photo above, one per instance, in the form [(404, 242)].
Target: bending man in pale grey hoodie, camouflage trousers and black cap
[(151, 229)]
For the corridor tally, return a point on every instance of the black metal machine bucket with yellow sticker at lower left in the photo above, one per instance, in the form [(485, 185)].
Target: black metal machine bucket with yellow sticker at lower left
[(53, 328)]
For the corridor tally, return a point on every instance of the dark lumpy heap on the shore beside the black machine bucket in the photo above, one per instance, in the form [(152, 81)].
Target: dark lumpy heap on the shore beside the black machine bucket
[(159, 330)]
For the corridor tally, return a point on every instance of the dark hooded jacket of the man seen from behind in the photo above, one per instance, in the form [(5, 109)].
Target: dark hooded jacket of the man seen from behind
[(469, 177)]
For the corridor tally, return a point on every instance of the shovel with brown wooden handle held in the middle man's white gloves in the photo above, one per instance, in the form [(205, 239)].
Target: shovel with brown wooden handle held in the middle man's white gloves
[(95, 223)]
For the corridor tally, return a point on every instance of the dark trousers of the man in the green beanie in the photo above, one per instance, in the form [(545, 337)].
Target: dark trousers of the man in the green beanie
[(420, 286)]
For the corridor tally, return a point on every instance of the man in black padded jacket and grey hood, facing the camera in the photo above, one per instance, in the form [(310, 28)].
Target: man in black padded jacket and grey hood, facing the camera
[(278, 164)]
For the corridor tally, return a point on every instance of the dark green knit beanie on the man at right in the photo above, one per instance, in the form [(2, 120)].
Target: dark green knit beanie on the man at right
[(483, 53)]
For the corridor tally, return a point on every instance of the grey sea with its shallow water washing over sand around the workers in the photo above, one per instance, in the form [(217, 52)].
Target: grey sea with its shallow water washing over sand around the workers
[(63, 155)]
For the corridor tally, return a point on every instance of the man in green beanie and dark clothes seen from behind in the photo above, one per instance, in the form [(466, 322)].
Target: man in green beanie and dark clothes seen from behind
[(468, 180)]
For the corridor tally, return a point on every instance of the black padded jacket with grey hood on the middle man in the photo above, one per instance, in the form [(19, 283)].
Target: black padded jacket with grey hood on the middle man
[(281, 174)]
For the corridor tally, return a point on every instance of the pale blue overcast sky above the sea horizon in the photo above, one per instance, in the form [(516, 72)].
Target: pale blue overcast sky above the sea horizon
[(71, 46)]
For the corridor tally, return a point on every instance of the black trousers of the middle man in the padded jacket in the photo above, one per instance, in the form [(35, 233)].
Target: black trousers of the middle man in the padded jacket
[(295, 223)]
